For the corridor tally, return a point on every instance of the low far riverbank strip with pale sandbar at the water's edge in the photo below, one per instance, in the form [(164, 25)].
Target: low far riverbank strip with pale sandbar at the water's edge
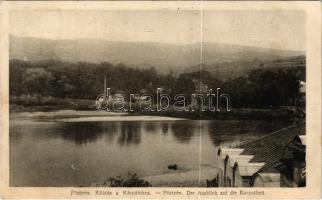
[(52, 111)]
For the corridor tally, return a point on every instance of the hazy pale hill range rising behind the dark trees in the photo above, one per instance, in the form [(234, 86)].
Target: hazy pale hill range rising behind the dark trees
[(164, 57)]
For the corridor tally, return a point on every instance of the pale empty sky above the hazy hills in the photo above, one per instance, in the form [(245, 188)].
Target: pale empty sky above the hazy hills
[(269, 29)]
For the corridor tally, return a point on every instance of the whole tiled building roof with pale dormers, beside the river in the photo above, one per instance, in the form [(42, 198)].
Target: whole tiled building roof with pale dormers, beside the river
[(262, 156)]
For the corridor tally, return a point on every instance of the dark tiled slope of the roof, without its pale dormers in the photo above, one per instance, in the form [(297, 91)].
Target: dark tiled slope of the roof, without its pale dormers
[(270, 148)]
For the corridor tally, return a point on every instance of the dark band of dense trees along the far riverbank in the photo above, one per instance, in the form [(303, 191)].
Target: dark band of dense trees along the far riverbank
[(262, 88)]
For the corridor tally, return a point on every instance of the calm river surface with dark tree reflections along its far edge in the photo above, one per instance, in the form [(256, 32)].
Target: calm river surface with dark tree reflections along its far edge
[(81, 153)]
